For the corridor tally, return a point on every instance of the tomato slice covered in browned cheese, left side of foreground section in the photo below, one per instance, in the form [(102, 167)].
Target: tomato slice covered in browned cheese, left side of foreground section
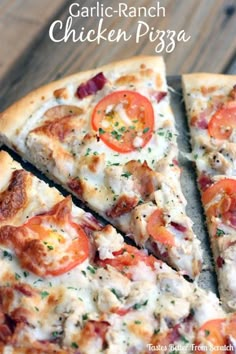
[(53, 243)]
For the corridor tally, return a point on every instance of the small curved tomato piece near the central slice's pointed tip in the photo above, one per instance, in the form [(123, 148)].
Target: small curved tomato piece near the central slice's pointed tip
[(156, 229)]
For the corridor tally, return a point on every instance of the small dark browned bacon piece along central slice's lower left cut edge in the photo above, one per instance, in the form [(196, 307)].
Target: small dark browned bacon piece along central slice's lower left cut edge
[(123, 205)]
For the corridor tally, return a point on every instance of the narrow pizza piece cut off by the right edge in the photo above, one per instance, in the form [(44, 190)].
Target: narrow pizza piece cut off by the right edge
[(211, 108)]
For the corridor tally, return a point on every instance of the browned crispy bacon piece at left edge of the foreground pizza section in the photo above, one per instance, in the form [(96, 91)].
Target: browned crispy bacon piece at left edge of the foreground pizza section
[(14, 197)]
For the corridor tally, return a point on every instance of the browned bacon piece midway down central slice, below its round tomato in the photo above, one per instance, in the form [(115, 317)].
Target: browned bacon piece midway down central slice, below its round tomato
[(144, 176)]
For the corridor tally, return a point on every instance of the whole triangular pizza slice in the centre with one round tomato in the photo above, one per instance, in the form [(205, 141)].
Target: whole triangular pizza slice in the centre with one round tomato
[(108, 136)]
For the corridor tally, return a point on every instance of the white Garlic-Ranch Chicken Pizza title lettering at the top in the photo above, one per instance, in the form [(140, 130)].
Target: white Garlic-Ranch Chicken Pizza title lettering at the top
[(163, 40)]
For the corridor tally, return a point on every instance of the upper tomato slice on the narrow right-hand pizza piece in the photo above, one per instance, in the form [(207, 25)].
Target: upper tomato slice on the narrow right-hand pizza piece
[(223, 122)]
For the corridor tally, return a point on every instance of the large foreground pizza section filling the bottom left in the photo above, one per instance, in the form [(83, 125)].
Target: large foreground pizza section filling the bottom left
[(71, 285)]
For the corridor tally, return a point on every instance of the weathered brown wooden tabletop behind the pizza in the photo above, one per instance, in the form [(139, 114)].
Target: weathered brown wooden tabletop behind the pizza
[(29, 58)]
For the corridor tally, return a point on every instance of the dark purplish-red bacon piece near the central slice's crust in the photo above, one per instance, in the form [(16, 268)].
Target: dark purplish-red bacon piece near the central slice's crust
[(91, 86)]
